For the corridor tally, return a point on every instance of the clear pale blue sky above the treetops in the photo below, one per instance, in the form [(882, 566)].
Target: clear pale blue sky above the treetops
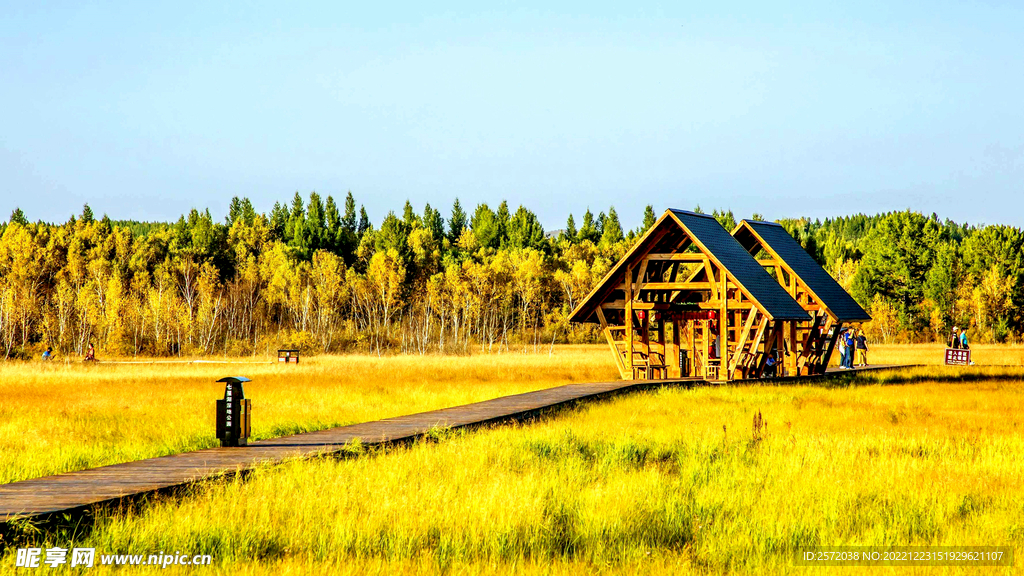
[(146, 110)]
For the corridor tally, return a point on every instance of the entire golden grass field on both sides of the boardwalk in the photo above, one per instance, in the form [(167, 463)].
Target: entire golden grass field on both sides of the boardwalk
[(668, 482)]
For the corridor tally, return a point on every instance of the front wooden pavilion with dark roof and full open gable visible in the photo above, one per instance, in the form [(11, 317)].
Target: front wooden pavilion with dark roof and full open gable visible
[(690, 302)]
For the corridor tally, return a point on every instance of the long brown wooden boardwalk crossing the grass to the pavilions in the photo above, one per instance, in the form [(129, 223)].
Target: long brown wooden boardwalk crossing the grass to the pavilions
[(72, 491)]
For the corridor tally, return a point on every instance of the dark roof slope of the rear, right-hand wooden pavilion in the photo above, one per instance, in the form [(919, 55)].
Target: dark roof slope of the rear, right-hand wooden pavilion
[(820, 282)]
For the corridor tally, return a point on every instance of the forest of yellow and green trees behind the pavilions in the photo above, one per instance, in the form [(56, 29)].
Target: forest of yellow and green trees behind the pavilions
[(313, 275)]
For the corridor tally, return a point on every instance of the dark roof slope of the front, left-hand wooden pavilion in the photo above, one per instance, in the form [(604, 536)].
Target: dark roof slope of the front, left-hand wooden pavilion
[(742, 266)]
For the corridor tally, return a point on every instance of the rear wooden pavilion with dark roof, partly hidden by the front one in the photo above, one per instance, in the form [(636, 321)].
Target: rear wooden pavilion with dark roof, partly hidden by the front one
[(814, 289)]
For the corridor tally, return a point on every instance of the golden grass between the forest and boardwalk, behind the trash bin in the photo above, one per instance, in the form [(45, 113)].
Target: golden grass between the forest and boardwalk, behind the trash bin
[(60, 418)]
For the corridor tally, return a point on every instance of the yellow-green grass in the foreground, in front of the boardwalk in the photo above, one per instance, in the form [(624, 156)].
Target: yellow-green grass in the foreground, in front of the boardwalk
[(666, 482)]
